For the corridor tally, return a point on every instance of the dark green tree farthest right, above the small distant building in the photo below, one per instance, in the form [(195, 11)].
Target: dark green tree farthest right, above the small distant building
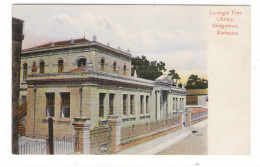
[(194, 82)]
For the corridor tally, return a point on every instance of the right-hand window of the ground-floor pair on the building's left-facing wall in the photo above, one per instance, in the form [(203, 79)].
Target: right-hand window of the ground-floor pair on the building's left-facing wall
[(65, 105)]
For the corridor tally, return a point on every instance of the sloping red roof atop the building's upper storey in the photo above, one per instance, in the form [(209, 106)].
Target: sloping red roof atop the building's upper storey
[(59, 43)]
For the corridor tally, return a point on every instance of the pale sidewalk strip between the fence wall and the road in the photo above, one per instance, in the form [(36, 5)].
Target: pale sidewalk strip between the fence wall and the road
[(157, 145)]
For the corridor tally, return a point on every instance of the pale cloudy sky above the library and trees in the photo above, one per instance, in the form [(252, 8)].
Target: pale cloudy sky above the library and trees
[(168, 33)]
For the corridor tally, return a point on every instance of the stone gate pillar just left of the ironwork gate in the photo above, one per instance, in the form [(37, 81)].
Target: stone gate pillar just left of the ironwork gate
[(82, 130)]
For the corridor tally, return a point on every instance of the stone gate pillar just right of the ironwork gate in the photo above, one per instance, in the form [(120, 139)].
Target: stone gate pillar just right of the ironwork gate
[(114, 124)]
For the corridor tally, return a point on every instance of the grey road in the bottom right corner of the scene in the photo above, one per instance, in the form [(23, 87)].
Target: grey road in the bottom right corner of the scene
[(195, 144)]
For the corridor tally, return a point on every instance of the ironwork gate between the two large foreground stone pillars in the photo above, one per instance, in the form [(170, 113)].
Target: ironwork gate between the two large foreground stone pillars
[(100, 140)]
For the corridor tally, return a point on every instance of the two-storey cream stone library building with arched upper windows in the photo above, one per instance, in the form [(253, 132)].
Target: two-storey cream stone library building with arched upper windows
[(83, 78)]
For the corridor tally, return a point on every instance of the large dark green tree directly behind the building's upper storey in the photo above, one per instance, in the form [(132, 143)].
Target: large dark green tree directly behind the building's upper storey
[(146, 69)]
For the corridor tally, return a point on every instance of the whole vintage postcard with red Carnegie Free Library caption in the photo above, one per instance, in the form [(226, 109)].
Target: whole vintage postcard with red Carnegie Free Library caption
[(131, 79)]
